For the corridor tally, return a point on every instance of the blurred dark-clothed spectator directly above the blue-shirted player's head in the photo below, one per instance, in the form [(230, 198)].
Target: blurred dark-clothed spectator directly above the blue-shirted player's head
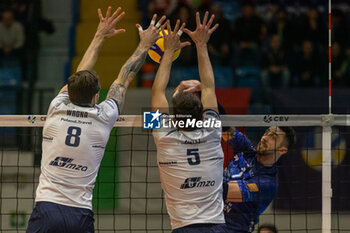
[(275, 68)]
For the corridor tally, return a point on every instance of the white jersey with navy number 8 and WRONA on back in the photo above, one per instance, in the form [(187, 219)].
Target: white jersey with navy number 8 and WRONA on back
[(74, 141)]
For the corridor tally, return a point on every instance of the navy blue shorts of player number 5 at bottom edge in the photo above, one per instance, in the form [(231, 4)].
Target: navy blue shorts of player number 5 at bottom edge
[(202, 228)]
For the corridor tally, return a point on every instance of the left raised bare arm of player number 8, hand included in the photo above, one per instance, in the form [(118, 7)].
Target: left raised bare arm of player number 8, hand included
[(105, 29)]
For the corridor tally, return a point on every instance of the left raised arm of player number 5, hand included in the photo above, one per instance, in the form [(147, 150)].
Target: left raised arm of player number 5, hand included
[(171, 45)]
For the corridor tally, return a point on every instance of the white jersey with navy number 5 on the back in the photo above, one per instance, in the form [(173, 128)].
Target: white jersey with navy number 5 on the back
[(191, 166)]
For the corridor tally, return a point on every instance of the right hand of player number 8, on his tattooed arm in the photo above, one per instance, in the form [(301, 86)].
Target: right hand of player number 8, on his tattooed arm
[(149, 36)]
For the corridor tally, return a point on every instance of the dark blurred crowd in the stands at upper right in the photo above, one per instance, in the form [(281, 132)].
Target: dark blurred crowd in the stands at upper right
[(286, 41)]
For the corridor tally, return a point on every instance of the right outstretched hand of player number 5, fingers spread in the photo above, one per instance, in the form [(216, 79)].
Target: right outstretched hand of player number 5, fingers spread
[(203, 31)]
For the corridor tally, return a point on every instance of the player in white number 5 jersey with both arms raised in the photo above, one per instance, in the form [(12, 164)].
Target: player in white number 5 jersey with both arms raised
[(190, 159)]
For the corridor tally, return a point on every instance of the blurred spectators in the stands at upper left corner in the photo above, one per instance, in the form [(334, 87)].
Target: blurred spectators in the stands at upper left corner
[(20, 25)]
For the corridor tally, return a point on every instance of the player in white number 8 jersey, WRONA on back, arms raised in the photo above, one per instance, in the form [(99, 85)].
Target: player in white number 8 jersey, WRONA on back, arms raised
[(76, 132)]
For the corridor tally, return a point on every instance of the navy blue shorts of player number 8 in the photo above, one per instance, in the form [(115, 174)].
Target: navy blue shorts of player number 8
[(48, 217)]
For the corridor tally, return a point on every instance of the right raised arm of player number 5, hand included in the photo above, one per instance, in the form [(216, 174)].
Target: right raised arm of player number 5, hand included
[(201, 37)]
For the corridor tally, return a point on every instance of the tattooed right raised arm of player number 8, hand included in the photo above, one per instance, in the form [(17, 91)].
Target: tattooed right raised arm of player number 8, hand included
[(129, 70)]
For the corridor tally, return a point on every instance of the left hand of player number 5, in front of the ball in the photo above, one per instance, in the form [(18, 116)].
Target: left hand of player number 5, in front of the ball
[(172, 39)]
